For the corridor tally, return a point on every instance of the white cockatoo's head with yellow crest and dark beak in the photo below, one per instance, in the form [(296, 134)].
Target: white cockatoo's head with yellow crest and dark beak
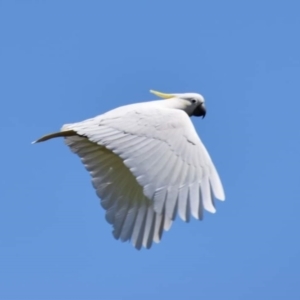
[(193, 104)]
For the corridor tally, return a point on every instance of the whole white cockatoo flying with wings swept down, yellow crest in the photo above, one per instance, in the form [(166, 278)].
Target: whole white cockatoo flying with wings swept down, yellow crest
[(147, 165)]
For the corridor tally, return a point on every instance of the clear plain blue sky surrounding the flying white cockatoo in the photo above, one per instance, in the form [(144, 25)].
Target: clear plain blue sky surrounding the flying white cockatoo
[(65, 61)]
